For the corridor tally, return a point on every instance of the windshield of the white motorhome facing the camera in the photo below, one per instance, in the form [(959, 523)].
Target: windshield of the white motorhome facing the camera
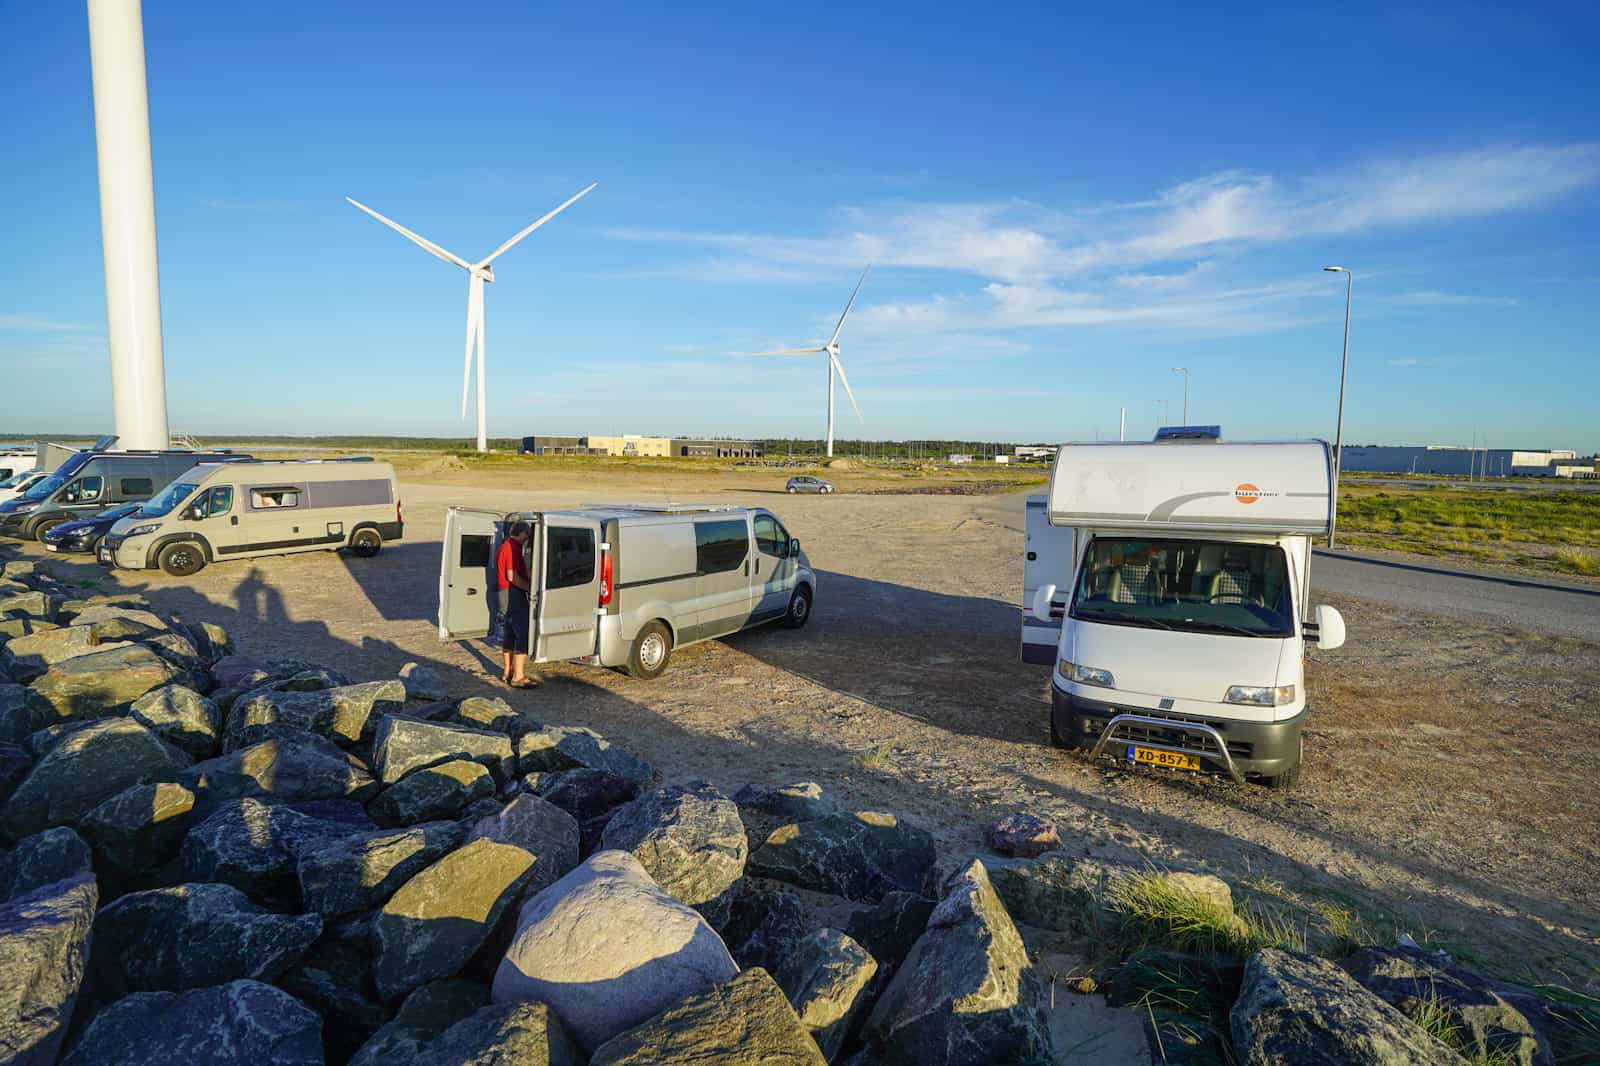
[(1196, 587)]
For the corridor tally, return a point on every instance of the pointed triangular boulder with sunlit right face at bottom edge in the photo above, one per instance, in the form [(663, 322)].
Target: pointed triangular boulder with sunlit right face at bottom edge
[(967, 995)]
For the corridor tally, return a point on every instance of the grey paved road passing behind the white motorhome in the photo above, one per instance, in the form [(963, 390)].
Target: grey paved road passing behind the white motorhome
[(1543, 606)]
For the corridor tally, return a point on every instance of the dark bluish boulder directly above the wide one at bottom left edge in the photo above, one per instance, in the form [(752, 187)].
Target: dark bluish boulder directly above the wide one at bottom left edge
[(169, 940)]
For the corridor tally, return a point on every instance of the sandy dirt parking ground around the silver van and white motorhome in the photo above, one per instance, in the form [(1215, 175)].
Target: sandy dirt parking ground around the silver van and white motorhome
[(1449, 767)]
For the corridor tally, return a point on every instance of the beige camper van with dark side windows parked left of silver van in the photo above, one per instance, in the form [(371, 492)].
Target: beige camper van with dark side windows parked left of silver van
[(249, 508)]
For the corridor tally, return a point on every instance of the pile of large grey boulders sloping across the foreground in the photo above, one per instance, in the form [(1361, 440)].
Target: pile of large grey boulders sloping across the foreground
[(215, 859)]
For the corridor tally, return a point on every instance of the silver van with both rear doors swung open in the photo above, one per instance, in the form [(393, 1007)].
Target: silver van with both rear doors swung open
[(625, 585)]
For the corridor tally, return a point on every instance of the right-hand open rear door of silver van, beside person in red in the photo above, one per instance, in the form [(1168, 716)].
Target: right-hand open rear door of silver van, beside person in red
[(567, 577)]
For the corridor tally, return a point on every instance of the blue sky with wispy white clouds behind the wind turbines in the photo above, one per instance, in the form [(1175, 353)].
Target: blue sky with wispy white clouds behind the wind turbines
[(1060, 206)]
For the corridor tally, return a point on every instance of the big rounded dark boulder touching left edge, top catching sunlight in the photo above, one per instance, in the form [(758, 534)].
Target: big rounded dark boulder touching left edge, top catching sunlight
[(87, 769)]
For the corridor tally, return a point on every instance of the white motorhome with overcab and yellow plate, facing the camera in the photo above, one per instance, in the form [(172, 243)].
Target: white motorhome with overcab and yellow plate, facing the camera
[(1172, 582)]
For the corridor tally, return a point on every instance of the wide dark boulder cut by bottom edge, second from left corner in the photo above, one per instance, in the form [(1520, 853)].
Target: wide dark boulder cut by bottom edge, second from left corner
[(242, 1024)]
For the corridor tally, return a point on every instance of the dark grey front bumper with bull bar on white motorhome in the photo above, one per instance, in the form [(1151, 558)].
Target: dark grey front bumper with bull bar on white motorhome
[(1254, 748)]
